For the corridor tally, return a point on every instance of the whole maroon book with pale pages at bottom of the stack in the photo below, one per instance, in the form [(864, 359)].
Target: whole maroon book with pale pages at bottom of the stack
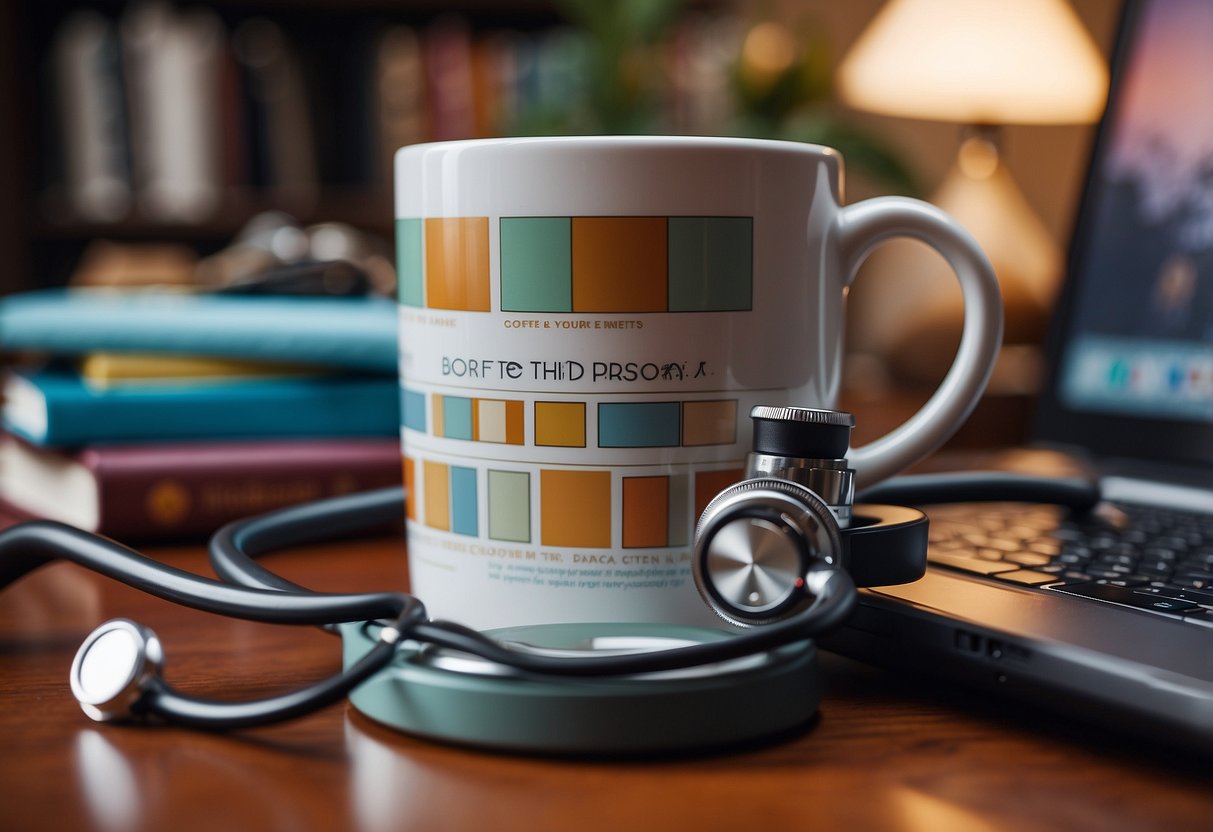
[(185, 491)]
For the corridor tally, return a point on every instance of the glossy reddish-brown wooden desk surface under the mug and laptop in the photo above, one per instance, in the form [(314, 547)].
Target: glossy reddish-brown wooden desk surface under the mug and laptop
[(887, 754)]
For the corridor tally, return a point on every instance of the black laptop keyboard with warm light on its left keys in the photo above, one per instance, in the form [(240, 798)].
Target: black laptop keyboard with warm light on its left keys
[(1153, 560)]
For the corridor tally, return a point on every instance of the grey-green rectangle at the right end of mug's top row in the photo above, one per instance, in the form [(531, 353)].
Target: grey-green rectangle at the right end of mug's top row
[(711, 264)]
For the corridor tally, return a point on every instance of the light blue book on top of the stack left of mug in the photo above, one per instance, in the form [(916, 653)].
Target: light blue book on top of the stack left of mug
[(355, 333)]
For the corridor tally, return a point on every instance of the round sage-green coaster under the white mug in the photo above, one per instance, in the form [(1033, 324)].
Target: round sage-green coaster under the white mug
[(454, 698)]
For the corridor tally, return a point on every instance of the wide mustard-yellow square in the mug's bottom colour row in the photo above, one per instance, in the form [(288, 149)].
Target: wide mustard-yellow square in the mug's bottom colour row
[(576, 509)]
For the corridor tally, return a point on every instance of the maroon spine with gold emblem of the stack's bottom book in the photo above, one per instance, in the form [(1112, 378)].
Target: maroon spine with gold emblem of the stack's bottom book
[(190, 504)]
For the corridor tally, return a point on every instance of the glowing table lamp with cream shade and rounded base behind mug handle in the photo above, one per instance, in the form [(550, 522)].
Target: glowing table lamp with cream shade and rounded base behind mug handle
[(981, 64)]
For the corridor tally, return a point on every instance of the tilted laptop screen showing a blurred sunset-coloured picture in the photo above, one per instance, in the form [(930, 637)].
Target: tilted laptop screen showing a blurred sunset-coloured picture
[(1134, 347)]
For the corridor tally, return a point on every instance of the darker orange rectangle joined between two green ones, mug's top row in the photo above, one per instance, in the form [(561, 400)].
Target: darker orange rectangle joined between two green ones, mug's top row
[(620, 265)]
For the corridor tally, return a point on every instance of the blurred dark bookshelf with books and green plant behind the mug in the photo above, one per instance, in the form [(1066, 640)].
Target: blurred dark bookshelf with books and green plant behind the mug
[(235, 133)]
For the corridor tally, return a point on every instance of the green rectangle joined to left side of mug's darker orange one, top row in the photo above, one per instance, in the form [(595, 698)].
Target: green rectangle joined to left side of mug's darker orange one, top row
[(537, 265)]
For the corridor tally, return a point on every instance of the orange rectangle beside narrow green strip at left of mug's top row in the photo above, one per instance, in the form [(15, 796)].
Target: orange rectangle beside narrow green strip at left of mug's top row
[(458, 264)]
